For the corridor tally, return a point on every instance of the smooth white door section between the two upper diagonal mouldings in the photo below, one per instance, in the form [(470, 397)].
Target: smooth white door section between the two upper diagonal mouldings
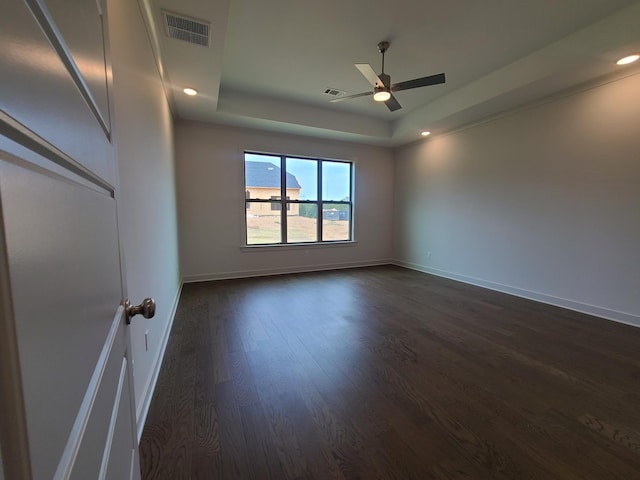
[(43, 96)]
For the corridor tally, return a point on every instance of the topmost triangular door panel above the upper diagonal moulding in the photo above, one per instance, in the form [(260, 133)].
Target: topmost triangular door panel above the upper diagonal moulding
[(80, 24)]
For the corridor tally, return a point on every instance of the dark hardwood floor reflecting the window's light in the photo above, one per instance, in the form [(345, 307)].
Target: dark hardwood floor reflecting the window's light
[(387, 373)]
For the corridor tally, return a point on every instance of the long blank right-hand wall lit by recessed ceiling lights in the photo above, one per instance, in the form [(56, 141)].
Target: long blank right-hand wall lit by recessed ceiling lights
[(543, 203)]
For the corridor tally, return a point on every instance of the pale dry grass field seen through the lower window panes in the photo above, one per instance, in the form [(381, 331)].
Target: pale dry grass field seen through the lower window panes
[(266, 229)]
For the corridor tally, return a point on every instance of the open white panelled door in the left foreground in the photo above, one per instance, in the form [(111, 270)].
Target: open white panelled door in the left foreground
[(65, 389)]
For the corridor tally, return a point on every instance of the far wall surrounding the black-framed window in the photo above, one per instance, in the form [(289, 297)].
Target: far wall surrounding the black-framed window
[(211, 203)]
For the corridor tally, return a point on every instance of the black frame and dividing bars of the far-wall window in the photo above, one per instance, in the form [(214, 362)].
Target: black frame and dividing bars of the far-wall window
[(285, 202)]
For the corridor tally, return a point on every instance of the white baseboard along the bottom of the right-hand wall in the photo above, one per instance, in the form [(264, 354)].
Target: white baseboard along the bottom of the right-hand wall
[(606, 313)]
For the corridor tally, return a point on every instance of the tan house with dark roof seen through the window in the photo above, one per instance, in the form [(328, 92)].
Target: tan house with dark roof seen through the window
[(262, 180)]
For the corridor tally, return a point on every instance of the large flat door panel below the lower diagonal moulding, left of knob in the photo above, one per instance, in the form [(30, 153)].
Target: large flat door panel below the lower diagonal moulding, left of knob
[(65, 275)]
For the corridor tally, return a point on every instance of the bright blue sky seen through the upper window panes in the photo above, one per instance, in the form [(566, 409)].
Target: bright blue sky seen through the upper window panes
[(335, 175)]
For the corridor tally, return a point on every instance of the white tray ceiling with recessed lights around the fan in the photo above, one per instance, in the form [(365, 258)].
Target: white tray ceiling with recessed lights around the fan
[(270, 61)]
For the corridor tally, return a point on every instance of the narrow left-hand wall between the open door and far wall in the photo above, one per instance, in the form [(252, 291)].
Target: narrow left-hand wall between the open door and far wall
[(147, 208)]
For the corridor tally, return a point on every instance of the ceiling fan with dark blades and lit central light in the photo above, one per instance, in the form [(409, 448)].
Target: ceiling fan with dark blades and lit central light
[(383, 88)]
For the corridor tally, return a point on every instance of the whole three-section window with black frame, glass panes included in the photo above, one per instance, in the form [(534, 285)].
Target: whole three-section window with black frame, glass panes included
[(291, 200)]
